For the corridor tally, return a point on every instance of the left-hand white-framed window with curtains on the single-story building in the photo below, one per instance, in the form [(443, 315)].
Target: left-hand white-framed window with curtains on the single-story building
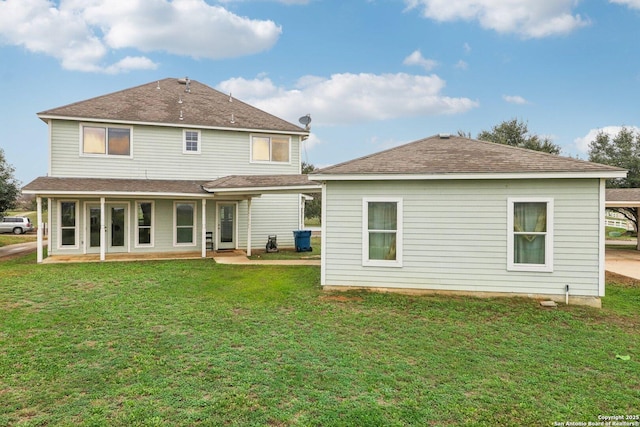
[(382, 232)]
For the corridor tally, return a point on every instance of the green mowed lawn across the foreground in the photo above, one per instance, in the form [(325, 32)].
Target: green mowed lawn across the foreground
[(196, 343)]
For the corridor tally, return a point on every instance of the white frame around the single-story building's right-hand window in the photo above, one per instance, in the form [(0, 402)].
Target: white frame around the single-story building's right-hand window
[(549, 236)]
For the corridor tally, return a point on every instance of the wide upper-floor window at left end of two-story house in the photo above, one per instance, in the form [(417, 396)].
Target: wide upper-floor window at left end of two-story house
[(112, 141)]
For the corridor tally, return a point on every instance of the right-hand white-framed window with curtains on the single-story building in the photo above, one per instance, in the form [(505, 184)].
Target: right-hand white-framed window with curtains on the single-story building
[(530, 234)]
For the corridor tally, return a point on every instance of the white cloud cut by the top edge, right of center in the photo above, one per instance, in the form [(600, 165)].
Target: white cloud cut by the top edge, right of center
[(528, 18)]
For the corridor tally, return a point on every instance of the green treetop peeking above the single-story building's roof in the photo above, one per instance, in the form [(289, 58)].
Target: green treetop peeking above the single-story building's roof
[(516, 134)]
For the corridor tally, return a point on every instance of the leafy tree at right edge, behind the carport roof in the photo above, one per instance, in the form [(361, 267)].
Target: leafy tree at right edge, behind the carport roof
[(622, 150)]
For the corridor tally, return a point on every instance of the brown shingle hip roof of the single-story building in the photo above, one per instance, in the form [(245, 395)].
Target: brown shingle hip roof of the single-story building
[(457, 155)]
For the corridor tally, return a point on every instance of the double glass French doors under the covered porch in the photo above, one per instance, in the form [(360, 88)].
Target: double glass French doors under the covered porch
[(116, 222)]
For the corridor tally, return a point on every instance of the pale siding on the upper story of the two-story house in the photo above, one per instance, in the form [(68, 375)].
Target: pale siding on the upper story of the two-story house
[(157, 153)]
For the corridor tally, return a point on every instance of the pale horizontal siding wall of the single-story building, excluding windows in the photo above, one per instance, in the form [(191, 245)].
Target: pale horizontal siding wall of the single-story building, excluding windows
[(455, 236)]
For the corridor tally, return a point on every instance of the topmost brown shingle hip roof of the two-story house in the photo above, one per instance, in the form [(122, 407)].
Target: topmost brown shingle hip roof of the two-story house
[(203, 106)]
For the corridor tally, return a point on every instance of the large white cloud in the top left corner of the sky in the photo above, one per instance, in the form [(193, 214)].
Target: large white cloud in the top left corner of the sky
[(80, 33)]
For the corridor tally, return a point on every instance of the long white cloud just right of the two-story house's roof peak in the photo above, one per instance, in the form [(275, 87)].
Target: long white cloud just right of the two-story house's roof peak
[(350, 98)]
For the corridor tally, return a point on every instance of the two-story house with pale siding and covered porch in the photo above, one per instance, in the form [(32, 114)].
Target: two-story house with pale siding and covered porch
[(167, 167)]
